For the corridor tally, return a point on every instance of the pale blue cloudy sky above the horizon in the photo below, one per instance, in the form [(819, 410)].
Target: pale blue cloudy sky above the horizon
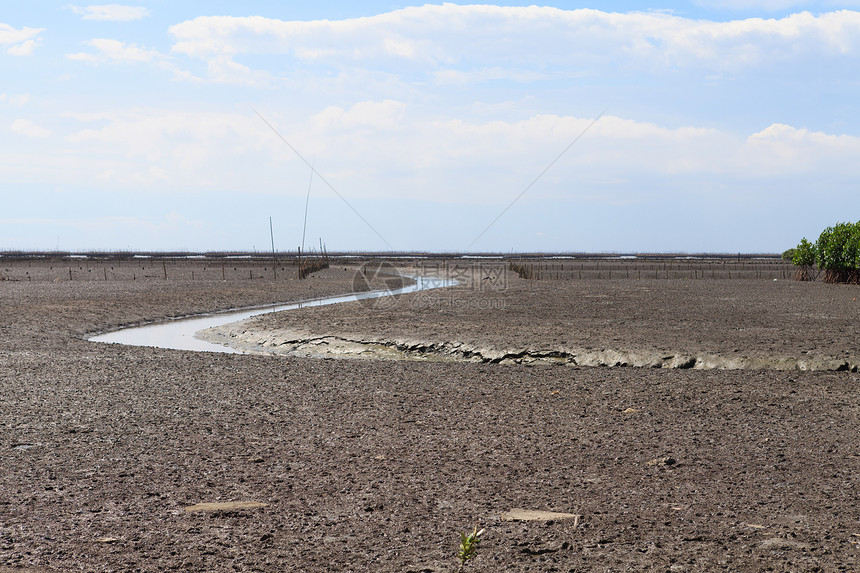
[(615, 127)]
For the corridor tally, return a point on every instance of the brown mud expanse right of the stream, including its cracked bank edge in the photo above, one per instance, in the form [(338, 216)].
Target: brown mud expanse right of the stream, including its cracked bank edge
[(759, 324)]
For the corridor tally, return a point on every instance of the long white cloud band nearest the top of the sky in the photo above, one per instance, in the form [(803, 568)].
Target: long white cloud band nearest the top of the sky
[(455, 43)]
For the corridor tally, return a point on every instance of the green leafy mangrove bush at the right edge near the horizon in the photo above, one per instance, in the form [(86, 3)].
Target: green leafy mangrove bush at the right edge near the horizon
[(836, 253)]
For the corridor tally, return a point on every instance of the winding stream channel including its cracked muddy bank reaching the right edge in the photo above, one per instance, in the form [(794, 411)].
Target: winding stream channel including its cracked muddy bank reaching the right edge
[(181, 334)]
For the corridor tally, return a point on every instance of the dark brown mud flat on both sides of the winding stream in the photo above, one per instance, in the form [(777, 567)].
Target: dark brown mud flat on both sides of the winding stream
[(108, 452)]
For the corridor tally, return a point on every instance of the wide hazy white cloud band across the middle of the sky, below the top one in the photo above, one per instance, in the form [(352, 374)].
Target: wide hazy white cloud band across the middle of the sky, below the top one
[(390, 149)]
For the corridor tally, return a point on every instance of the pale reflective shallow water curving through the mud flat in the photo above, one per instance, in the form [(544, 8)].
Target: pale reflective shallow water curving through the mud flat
[(179, 334)]
